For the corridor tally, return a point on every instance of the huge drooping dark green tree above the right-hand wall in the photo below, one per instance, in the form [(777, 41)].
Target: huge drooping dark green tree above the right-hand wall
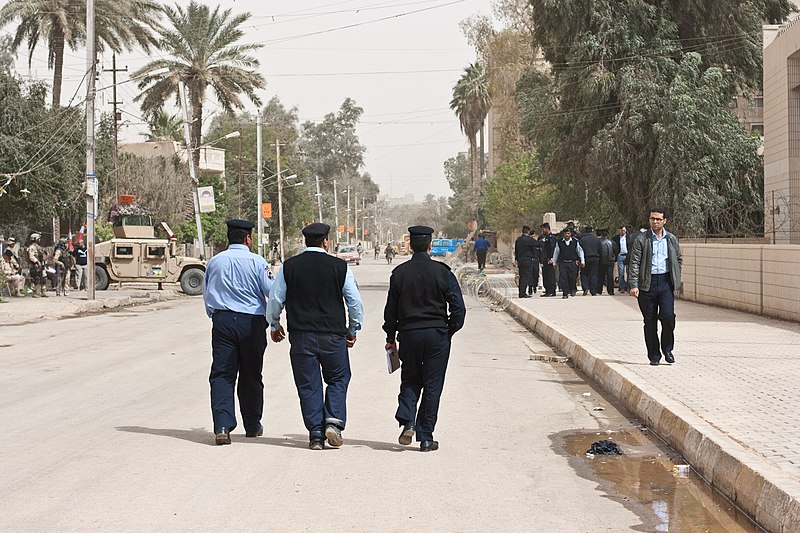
[(633, 110)]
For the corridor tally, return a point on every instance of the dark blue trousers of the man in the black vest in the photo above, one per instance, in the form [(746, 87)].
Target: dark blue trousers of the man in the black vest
[(310, 352)]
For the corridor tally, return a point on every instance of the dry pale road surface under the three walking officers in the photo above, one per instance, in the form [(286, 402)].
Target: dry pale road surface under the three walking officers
[(106, 426)]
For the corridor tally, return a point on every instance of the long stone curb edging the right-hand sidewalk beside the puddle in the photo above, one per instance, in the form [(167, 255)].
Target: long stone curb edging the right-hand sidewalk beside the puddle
[(770, 496)]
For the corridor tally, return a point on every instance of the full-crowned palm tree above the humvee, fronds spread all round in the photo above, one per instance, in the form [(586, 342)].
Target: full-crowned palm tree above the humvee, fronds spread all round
[(204, 53)]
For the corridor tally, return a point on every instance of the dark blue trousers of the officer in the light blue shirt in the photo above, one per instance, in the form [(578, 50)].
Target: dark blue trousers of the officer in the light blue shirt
[(238, 342)]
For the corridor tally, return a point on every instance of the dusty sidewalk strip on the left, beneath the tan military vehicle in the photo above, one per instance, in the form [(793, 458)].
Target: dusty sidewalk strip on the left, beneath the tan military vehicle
[(25, 310)]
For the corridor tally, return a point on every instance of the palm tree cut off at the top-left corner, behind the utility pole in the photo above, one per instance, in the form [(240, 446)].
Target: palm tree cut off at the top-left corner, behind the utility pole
[(119, 25)]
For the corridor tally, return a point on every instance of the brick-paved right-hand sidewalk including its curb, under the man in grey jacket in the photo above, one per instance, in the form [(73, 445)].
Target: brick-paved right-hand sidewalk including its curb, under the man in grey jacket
[(730, 404)]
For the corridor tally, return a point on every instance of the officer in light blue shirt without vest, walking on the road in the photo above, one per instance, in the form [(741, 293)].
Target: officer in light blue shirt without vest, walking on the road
[(235, 291)]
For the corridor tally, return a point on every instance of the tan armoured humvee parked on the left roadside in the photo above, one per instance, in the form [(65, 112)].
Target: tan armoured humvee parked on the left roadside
[(136, 255)]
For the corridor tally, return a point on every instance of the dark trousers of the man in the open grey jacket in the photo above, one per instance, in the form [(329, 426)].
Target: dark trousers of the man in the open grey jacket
[(658, 304)]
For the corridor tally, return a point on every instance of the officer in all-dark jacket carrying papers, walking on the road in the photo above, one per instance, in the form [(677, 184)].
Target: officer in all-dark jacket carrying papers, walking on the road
[(421, 291)]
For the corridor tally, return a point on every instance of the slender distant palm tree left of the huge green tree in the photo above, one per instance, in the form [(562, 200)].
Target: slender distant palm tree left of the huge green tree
[(470, 102)]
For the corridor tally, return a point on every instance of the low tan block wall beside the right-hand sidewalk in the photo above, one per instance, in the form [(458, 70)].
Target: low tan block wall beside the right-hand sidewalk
[(761, 279)]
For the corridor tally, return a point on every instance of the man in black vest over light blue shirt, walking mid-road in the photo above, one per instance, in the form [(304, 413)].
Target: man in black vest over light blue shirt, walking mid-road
[(313, 286)]
